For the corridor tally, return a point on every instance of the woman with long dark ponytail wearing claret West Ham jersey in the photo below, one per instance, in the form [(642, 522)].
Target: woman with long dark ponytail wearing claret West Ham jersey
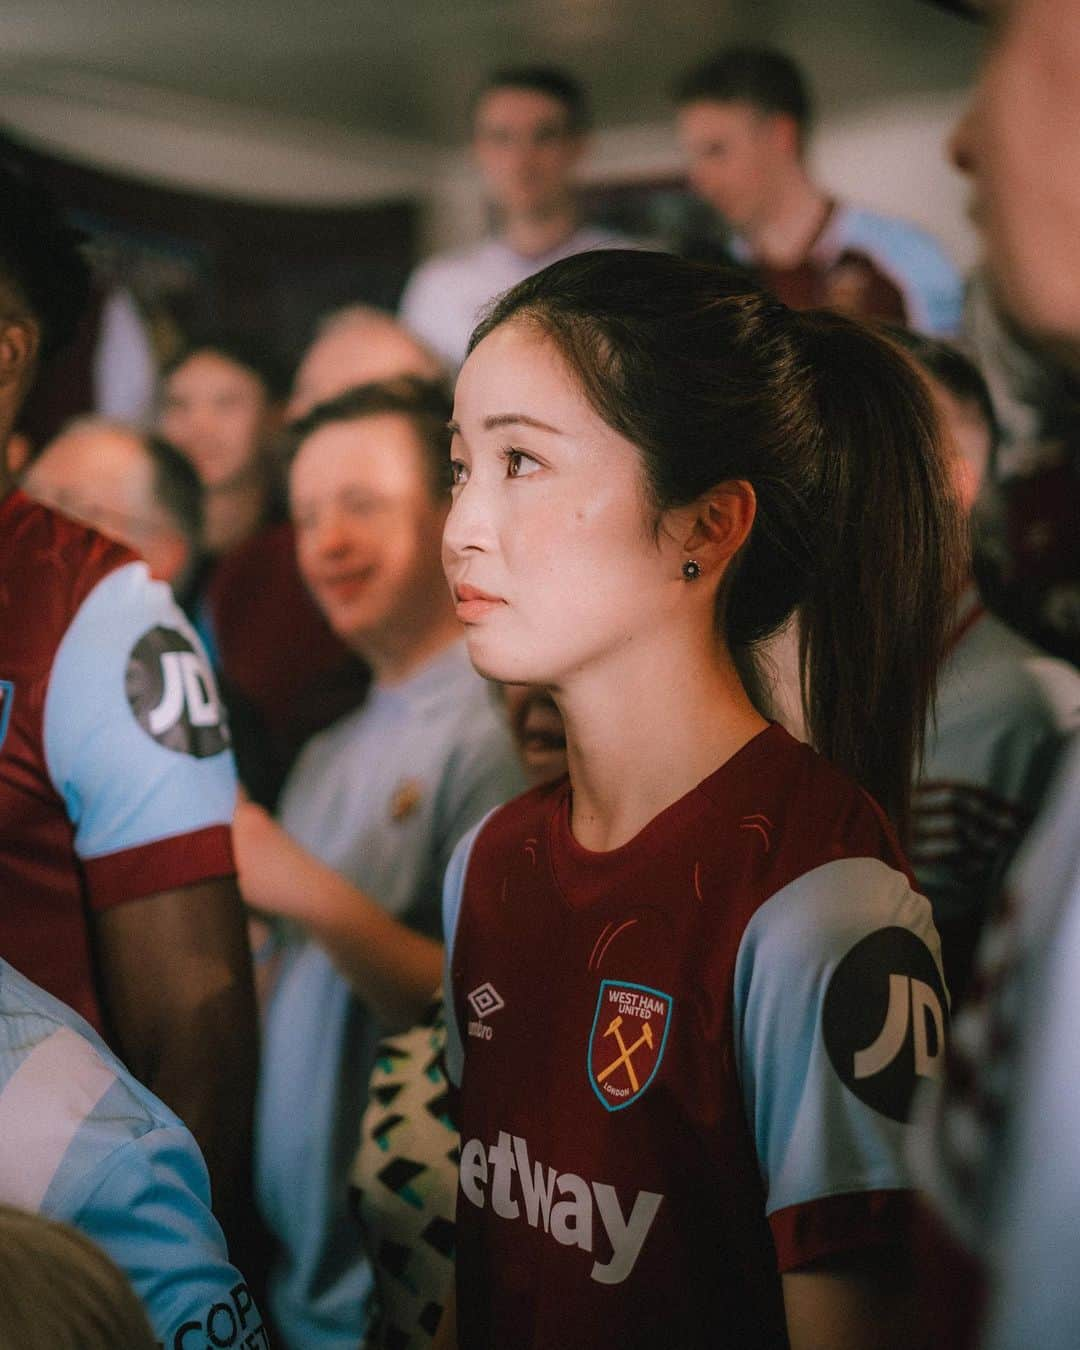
[(692, 988)]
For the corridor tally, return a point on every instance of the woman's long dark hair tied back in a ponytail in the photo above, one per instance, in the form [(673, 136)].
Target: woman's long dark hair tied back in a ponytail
[(857, 526)]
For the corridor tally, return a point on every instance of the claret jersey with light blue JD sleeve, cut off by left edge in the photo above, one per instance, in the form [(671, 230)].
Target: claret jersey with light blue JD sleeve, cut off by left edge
[(117, 781)]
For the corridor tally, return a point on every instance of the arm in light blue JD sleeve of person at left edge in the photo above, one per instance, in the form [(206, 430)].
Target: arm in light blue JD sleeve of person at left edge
[(138, 750)]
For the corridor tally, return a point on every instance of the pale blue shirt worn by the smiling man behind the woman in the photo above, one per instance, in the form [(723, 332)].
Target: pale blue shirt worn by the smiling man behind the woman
[(383, 797)]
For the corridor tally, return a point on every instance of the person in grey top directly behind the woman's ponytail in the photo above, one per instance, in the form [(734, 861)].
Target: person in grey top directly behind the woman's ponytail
[(1005, 709)]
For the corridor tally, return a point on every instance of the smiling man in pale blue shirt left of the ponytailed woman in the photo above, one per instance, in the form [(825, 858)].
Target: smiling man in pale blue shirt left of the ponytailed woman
[(369, 817)]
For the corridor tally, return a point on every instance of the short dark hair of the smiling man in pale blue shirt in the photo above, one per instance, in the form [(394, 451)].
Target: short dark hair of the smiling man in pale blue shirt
[(426, 403)]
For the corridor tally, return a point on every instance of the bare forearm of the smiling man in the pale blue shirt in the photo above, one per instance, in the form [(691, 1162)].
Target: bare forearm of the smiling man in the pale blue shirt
[(389, 966)]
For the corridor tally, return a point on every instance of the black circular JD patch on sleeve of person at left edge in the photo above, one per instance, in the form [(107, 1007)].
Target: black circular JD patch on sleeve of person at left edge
[(173, 696)]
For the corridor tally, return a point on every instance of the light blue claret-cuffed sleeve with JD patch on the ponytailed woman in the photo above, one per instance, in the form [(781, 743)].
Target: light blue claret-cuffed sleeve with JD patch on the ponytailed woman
[(840, 1012)]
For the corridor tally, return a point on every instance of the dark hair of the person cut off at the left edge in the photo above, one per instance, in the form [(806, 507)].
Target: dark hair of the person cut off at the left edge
[(41, 260)]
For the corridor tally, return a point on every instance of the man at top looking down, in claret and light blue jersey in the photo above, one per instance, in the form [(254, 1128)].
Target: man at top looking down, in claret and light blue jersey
[(745, 121)]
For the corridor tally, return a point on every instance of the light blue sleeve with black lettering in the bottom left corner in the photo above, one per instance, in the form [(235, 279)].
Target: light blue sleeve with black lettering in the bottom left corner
[(149, 1209)]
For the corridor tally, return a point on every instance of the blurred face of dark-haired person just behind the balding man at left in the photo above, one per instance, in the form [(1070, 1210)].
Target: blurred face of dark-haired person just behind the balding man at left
[(219, 415)]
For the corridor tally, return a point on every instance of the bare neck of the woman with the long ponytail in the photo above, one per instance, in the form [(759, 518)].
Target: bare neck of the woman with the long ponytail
[(643, 736)]
